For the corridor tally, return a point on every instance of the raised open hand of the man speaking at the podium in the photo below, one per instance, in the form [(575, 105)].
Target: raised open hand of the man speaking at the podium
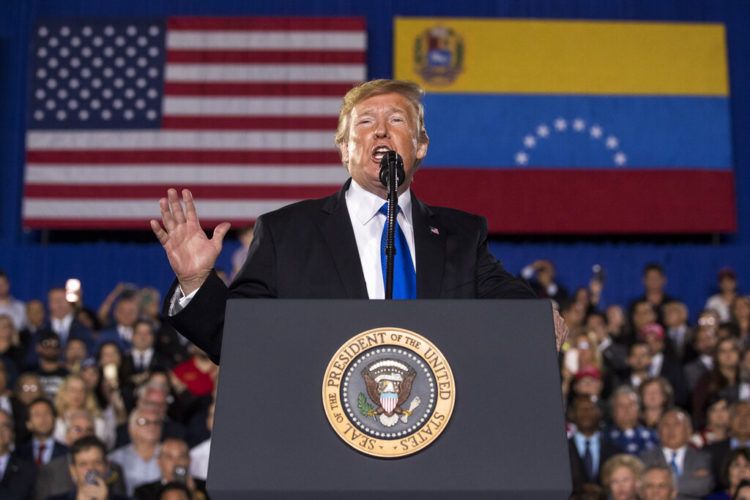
[(191, 254)]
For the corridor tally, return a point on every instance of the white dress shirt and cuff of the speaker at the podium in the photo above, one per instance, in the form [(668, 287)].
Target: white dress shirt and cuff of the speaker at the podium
[(367, 223)]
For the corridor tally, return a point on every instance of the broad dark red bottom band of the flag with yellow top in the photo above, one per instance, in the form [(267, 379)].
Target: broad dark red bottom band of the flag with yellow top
[(610, 201)]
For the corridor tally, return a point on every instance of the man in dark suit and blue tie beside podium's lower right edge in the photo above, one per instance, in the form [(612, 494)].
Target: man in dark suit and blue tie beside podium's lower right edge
[(588, 450)]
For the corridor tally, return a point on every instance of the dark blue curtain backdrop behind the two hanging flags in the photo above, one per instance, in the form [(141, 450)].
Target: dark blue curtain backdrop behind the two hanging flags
[(33, 265)]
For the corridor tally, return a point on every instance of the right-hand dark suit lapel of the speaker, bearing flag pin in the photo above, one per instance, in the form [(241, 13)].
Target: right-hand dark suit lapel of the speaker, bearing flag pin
[(429, 245)]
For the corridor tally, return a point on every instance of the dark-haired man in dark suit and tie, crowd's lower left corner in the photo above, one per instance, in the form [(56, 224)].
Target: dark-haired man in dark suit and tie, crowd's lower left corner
[(41, 423)]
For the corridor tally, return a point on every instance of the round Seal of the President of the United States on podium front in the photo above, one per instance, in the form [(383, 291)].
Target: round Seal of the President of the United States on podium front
[(388, 392)]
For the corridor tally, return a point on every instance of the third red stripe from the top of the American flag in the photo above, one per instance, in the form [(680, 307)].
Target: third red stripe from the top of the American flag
[(250, 89)]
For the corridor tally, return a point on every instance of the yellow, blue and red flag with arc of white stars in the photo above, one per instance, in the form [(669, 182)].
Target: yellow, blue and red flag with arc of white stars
[(574, 126)]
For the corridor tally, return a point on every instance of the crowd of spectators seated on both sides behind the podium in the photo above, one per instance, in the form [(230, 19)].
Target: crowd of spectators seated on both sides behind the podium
[(113, 402)]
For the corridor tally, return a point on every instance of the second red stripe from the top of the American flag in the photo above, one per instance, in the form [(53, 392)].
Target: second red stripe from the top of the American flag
[(265, 56)]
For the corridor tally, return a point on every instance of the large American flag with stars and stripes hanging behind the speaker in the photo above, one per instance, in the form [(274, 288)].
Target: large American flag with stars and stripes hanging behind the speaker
[(240, 110)]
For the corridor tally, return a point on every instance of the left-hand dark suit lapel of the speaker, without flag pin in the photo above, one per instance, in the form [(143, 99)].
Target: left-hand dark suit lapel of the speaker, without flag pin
[(336, 227)]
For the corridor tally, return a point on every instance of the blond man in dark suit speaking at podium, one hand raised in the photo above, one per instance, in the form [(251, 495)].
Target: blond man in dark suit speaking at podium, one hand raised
[(330, 248)]
